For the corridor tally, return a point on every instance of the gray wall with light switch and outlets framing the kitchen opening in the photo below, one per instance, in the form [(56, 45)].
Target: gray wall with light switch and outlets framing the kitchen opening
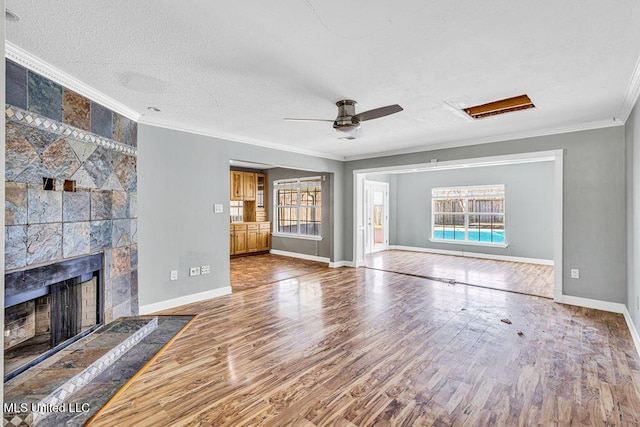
[(180, 177)]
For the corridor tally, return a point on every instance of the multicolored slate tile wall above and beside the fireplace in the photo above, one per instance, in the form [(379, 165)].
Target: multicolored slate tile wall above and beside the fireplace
[(52, 132)]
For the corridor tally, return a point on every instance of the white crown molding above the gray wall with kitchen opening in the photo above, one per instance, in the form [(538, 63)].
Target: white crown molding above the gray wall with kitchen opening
[(146, 120)]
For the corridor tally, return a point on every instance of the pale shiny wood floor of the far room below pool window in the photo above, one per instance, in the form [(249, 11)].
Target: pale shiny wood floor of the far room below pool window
[(530, 279)]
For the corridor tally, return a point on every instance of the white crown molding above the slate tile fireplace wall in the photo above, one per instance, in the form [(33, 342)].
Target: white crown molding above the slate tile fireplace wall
[(35, 64)]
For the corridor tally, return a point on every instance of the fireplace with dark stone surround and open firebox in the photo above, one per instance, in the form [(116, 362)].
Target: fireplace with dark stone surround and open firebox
[(49, 307)]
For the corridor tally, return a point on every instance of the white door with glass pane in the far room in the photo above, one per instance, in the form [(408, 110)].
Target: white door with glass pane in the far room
[(377, 216)]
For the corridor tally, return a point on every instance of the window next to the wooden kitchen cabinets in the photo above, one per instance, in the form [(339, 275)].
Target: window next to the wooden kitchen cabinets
[(298, 209)]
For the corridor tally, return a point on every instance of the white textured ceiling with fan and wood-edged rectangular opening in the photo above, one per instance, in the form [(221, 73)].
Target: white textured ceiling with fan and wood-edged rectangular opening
[(236, 69)]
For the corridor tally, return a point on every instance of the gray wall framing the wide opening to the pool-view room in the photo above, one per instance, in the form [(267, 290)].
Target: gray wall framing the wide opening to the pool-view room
[(594, 231)]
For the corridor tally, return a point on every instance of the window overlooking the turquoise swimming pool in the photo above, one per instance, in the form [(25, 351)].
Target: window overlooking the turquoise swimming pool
[(468, 214)]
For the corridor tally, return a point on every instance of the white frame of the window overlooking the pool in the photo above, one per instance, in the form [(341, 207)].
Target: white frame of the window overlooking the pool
[(466, 213)]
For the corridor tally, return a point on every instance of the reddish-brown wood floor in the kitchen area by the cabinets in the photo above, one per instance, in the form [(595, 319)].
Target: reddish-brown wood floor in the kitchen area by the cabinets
[(251, 271)]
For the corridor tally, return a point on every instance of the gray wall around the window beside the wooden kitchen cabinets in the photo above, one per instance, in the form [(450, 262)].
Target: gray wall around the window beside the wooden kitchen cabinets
[(321, 248)]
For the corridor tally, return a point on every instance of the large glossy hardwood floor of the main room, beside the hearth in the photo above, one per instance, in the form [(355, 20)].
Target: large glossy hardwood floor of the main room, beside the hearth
[(365, 347)]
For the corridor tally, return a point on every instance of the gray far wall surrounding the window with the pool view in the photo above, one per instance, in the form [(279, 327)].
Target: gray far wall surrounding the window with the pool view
[(529, 207)]
